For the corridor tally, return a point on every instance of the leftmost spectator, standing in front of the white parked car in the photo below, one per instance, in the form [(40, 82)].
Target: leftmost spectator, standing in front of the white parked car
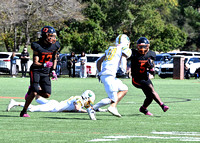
[(13, 69)]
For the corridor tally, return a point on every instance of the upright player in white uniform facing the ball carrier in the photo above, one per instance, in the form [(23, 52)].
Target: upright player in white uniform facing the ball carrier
[(107, 65)]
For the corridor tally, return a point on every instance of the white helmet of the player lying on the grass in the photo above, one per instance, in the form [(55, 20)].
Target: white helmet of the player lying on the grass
[(88, 98)]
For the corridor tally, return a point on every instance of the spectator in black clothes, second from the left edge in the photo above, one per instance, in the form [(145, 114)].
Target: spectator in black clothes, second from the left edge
[(24, 61)]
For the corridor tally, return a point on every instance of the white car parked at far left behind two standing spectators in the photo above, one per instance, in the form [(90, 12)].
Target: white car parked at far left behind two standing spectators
[(5, 62)]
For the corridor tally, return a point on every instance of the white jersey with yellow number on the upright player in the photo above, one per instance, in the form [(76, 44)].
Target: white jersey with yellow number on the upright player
[(112, 61)]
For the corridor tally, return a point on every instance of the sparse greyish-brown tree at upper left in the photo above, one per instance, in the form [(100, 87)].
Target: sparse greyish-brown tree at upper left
[(31, 14)]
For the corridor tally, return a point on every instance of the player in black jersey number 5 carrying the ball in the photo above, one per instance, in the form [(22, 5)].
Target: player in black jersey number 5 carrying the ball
[(141, 65)]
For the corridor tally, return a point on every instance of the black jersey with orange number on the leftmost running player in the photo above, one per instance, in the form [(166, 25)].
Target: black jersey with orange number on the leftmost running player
[(45, 53)]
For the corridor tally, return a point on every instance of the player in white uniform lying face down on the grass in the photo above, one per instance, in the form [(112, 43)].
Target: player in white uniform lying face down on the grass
[(73, 104)]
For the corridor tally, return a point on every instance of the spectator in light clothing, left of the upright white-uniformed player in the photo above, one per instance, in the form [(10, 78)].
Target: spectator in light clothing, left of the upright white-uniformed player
[(83, 61)]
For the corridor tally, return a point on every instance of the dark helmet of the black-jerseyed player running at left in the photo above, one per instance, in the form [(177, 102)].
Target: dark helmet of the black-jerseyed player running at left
[(48, 33)]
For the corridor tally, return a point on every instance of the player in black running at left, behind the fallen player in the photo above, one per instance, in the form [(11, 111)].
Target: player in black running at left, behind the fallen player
[(44, 51)]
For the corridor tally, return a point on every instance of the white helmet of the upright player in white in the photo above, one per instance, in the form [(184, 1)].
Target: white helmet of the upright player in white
[(123, 40)]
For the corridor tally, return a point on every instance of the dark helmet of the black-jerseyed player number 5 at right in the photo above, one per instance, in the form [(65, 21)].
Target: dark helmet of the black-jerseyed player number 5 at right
[(143, 45)]
